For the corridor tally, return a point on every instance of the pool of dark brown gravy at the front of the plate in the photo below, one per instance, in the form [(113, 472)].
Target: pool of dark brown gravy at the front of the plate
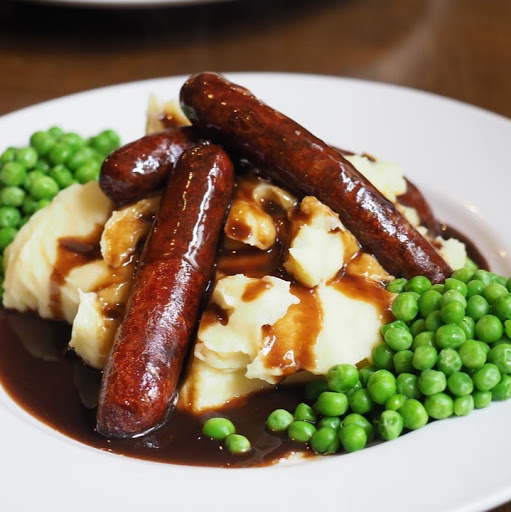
[(53, 385)]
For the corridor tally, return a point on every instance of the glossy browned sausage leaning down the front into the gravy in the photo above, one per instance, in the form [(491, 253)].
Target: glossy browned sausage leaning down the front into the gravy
[(140, 377)]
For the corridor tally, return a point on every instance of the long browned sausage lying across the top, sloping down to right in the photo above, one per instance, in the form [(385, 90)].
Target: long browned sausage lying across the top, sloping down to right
[(231, 115)]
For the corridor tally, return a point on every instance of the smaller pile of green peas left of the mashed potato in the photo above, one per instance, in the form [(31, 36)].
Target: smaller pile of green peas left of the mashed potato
[(31, 176)]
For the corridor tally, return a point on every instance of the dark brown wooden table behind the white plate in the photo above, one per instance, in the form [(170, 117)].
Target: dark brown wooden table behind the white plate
[(457, 48)]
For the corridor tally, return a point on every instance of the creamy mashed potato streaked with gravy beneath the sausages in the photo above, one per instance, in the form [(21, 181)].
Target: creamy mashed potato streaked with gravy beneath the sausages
[(293, 293)]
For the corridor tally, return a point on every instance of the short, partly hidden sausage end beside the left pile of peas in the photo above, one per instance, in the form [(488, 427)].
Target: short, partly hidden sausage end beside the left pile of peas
[(140, 167)]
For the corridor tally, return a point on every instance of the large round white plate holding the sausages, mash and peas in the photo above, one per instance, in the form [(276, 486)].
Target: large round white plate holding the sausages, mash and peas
[(458, 154)]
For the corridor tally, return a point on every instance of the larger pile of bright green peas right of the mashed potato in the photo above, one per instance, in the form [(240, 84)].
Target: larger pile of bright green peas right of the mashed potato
[(447, 352)]
